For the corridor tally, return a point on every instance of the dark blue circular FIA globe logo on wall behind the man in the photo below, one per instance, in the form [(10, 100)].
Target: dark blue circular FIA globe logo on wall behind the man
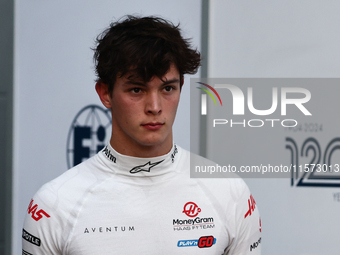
[(88, 134)]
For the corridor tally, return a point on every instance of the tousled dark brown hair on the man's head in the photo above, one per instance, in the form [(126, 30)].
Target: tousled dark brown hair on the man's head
[(146, 46)]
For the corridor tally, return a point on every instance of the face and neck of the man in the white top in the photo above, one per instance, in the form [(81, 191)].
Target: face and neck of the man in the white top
[(143, 113)]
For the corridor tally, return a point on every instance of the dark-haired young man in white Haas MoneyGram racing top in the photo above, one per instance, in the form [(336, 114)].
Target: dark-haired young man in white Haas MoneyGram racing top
[(136, 196)]
